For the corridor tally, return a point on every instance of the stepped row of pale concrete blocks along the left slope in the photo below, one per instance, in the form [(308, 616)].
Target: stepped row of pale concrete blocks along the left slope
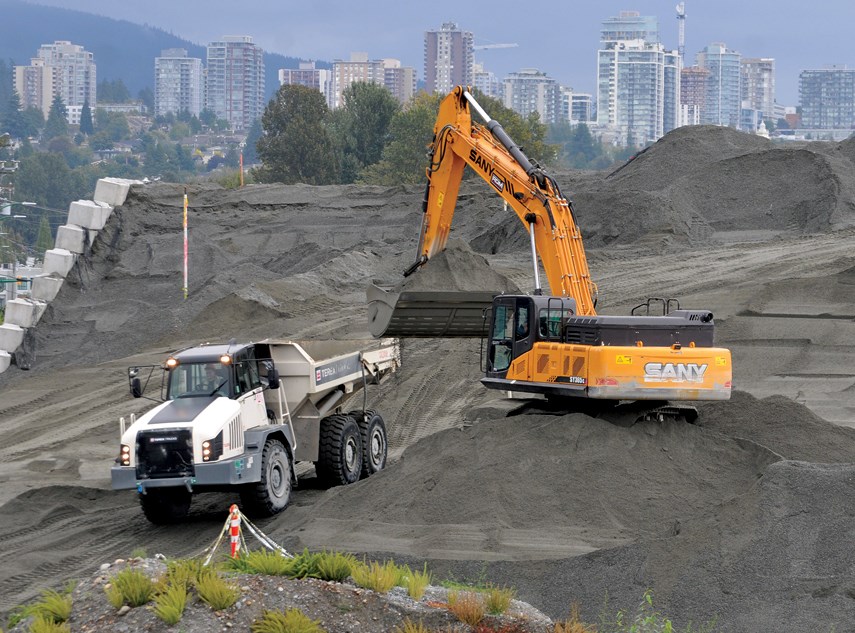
[(85, 219)]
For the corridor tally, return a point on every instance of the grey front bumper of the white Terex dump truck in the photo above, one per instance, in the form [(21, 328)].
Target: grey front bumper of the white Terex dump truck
[(228, 472)]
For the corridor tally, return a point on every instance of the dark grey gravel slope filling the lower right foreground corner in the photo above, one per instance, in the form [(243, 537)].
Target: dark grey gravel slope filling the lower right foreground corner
[(776, 559)]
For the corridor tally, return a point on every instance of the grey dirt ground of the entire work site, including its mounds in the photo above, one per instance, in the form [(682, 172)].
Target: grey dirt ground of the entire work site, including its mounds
[(745, 516)]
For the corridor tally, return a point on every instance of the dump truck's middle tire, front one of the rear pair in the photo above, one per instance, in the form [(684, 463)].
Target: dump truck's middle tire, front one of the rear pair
[(340, 451)]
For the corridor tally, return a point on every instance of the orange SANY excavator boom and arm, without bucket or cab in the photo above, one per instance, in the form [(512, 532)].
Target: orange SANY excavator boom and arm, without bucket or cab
[(532, 194)]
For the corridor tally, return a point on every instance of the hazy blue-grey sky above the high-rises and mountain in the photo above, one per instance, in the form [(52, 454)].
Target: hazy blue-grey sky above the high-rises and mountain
[(557, 37)]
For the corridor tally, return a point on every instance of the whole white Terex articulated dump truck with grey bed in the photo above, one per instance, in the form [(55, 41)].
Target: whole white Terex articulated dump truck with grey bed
[(238, 417)]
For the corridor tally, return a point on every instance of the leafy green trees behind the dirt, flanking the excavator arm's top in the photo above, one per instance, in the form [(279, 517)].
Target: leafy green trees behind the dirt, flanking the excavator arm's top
[(372, 139)]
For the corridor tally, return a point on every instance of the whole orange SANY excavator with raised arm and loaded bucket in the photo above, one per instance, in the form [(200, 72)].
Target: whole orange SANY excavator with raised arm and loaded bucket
[(555, 345)]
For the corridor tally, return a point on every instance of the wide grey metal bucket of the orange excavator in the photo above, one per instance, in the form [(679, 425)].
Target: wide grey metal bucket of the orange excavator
[(428, 313)]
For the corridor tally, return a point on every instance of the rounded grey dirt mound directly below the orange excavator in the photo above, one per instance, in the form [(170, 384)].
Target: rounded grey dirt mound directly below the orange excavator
[(522, 474)]
